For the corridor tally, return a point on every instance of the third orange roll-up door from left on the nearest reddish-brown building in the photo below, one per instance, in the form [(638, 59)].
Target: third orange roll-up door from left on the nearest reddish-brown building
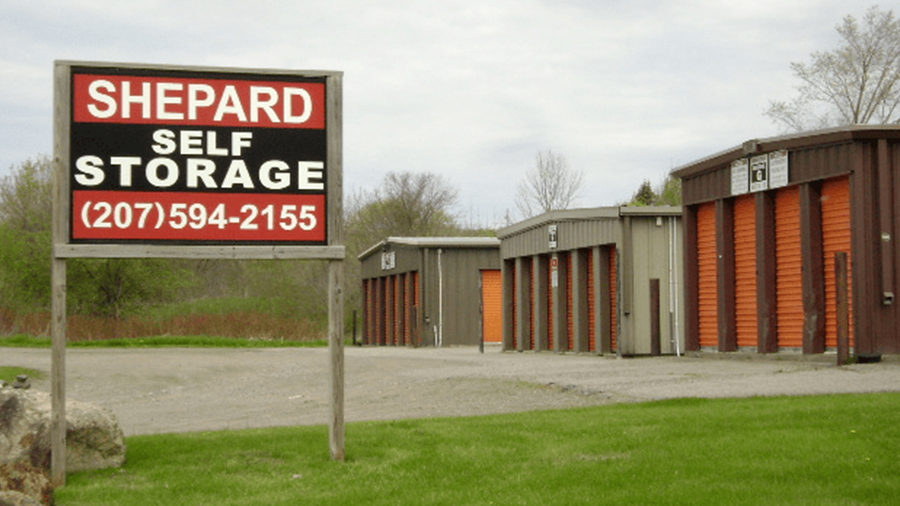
[(788, 265)]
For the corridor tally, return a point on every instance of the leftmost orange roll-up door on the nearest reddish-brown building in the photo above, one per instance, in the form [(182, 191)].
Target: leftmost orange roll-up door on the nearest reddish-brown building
[(707, 272)]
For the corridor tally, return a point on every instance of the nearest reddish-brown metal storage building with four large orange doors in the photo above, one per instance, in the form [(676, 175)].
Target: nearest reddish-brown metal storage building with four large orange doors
[(762, 224)]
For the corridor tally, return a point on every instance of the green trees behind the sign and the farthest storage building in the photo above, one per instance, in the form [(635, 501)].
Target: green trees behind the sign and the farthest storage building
[(405, 204)]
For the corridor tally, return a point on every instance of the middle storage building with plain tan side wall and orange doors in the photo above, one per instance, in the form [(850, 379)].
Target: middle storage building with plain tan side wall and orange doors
[(596, 280)]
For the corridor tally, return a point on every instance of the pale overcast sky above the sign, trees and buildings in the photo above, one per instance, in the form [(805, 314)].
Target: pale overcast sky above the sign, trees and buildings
[(626, 90)]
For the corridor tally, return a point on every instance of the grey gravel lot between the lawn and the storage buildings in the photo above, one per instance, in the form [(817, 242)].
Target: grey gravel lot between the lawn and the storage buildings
[(181, 390)]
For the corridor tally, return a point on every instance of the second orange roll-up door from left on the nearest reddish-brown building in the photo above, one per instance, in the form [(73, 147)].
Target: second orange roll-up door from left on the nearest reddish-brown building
[(746, 320)]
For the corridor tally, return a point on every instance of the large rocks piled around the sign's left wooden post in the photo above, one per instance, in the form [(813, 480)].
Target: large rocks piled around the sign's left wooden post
[(94, 440)]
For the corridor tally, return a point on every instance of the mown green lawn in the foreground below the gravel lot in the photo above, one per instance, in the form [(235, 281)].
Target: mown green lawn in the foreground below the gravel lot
[(823, 450)]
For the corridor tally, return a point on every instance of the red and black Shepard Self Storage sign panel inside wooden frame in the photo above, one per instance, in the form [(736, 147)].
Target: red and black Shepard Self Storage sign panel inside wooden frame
[(197, 157)]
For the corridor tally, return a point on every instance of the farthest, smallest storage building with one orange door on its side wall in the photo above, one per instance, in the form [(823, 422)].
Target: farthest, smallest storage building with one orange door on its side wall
[(430, 291)]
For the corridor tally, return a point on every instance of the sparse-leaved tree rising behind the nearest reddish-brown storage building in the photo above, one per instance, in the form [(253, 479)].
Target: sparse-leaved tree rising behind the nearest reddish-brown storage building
[(856, 83)]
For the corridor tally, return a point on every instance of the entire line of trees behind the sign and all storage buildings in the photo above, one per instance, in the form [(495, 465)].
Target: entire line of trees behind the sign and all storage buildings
[(855, 83)]
